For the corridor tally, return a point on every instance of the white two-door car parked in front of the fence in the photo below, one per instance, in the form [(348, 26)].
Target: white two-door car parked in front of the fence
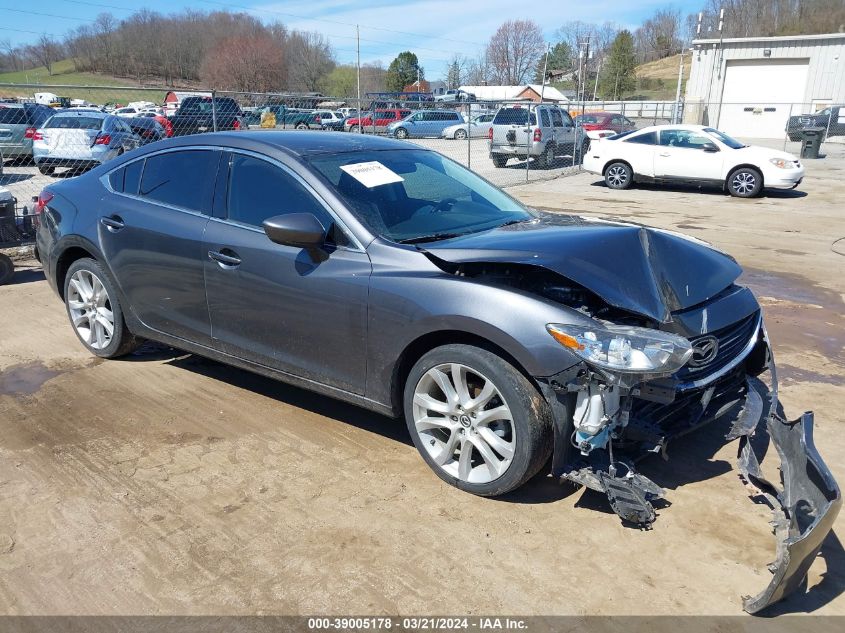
[(691, 153)]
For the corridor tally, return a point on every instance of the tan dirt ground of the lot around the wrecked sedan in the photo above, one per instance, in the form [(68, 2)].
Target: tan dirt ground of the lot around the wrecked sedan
[(166, 483)]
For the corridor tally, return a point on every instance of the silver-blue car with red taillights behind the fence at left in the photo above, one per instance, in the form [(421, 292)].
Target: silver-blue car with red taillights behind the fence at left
[(80, 139)]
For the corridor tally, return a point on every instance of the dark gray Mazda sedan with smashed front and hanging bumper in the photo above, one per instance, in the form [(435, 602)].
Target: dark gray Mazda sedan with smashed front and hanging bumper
[(386, 275)]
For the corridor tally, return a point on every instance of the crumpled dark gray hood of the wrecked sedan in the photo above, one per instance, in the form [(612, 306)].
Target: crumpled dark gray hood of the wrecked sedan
[(644, 270)]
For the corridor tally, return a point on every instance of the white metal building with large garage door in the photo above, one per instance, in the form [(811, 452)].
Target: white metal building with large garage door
[(750, 86)]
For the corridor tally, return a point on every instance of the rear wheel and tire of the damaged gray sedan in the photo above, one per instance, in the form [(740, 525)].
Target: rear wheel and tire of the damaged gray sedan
[(85, 284)]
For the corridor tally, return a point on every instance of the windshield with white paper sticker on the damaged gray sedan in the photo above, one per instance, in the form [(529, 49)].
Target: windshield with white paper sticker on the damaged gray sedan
[(416, 195)]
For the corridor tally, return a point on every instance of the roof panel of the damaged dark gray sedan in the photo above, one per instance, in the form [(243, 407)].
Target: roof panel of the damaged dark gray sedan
[(294, 143)]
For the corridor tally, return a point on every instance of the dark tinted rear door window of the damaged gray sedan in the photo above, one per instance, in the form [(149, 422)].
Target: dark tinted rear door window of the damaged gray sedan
[(182, 179)]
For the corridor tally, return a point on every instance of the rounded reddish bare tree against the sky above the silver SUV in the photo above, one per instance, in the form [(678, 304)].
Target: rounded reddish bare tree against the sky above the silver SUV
[(513, 51)]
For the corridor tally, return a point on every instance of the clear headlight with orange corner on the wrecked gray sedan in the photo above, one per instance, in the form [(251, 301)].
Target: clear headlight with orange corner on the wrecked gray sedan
[(624, 349)]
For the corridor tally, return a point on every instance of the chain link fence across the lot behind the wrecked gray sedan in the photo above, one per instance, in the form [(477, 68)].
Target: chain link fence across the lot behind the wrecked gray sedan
[(51, 132)]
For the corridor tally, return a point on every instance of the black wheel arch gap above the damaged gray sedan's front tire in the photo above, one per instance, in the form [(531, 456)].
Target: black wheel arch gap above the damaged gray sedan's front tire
[(420, 346)]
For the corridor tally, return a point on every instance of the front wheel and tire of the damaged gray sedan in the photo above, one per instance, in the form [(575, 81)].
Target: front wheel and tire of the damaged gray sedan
[(499, 454)]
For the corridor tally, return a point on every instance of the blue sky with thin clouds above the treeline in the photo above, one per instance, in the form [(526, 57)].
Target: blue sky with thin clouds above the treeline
[(435, 30)]
